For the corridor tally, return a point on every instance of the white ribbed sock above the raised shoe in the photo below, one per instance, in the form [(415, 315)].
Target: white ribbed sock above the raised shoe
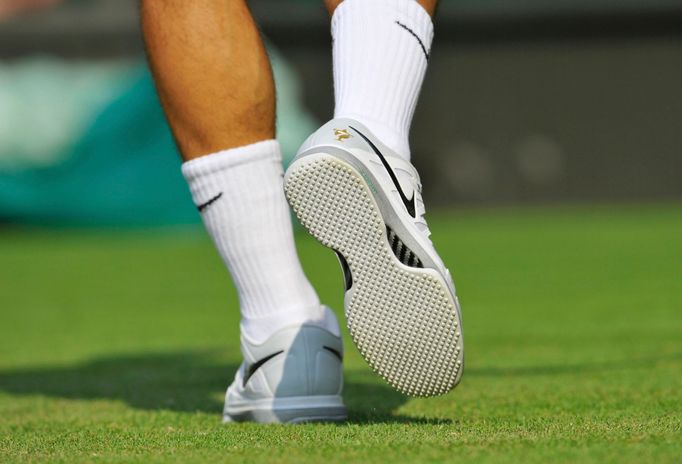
[(381, 49)]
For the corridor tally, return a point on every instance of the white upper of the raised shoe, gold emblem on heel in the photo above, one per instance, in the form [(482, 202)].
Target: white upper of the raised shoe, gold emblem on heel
[(396, 176)]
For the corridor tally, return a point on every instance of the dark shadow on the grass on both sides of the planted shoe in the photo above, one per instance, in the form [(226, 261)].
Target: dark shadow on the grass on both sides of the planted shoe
[(184, 382)]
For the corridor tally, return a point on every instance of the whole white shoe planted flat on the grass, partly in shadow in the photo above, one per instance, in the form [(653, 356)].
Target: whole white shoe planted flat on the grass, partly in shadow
[(294, 376)]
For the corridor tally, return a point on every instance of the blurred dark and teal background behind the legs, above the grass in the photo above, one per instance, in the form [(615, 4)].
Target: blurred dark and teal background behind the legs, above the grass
[(524, 102)]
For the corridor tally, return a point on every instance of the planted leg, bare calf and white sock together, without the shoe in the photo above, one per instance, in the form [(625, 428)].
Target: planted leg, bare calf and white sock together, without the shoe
[(216, 86)]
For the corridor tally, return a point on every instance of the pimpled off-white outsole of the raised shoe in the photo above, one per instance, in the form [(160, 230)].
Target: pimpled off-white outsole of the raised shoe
[(403, 320)]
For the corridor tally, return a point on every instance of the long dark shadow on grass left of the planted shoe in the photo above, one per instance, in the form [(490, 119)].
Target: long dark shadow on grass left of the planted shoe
[(173, 381)]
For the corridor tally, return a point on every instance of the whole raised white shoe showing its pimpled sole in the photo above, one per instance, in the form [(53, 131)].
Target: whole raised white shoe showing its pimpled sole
[(359, 198)]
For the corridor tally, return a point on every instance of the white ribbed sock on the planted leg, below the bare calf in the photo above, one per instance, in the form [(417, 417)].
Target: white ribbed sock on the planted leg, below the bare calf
[(241, 199)]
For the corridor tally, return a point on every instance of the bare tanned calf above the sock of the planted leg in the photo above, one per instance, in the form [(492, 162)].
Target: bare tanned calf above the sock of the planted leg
[(212, 73)]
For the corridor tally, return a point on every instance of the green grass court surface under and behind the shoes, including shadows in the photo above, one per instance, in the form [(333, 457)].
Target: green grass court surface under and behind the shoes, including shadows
[(118, 347)]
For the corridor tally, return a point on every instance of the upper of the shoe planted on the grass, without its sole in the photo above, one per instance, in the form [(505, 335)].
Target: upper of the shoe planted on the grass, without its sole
[(302, 360)]
